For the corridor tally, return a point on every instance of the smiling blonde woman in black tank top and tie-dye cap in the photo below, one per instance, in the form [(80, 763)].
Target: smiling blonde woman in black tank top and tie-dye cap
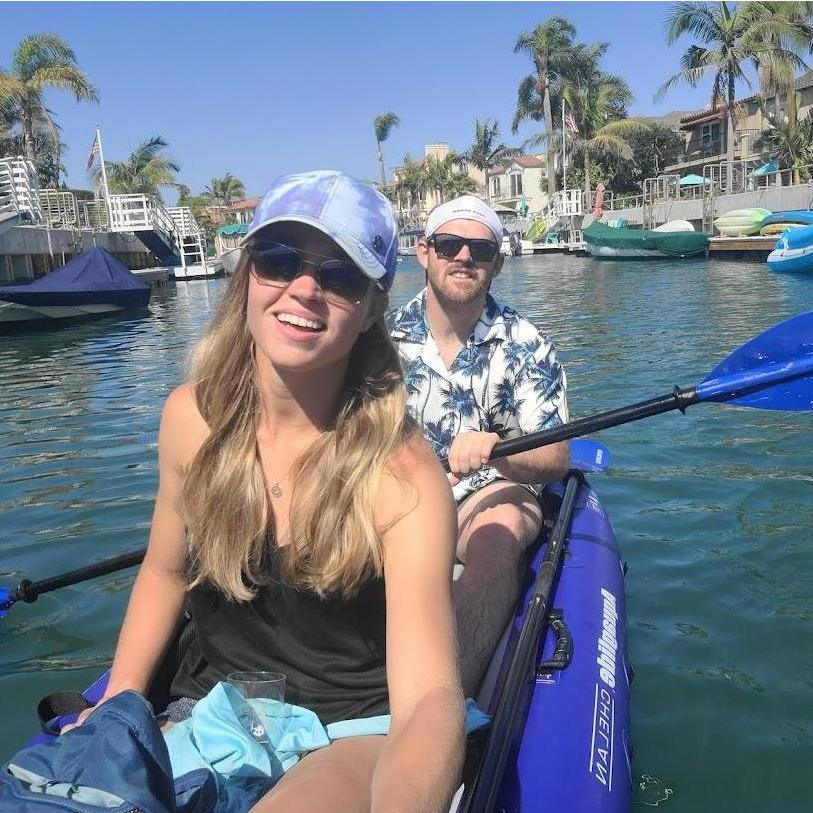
[(301, 515)]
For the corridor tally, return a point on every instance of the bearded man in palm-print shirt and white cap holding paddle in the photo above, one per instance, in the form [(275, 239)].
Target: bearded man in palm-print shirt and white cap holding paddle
[(477, 372)]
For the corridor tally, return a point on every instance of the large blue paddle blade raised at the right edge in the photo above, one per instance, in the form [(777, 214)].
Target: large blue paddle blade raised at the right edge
[(772, 371)]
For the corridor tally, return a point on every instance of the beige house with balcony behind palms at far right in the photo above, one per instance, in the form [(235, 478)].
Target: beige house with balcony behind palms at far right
[(706, 130)]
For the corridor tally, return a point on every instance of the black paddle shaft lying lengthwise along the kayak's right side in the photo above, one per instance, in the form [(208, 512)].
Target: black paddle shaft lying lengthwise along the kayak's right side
[(515, 691)]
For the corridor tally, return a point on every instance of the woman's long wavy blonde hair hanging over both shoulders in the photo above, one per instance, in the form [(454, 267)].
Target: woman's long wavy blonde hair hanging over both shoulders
[(334, 543)]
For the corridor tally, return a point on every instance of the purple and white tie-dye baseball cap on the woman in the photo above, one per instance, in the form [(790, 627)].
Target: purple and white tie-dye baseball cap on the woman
[(358, 217)]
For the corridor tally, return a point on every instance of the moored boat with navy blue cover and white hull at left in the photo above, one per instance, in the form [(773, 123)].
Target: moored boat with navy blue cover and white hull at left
[(91, 284)]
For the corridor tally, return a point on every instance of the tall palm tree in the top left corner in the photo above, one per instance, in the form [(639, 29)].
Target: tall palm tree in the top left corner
[(40, 62)]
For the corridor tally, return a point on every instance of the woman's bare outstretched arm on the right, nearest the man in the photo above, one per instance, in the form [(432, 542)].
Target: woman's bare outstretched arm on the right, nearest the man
[(420, 765)]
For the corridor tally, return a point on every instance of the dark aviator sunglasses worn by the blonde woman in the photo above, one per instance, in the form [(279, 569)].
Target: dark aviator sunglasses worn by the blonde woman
[(277, 264)]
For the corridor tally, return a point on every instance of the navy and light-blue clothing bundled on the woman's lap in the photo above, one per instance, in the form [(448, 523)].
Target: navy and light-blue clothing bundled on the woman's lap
[(218, 761)]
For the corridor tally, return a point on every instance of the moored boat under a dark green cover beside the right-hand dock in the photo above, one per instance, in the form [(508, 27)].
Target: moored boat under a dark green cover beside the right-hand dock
[(623, 243)]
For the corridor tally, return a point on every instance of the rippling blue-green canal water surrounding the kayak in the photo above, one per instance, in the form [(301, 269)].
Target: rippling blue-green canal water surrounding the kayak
[(713, 510)]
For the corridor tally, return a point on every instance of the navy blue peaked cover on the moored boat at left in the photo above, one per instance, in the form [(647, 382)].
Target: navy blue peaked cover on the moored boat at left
[(95, 277)]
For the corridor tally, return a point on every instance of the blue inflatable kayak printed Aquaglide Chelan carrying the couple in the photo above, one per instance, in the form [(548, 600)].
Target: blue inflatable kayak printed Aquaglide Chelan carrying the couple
[(558, 683)]
